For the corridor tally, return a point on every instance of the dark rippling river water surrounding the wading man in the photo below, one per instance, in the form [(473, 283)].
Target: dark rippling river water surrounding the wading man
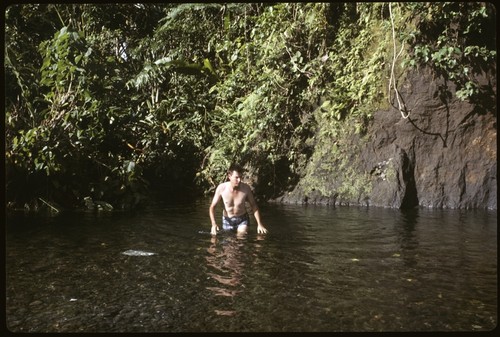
[(318, 269)]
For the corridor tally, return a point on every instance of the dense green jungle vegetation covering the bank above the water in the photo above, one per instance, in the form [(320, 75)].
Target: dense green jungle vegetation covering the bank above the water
[(112, 102)]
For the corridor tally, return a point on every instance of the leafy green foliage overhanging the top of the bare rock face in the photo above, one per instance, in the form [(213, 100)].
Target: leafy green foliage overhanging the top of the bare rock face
[(453, 38)]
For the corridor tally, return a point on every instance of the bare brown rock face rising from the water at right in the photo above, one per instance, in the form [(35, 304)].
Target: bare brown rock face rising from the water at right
[(443, 155)]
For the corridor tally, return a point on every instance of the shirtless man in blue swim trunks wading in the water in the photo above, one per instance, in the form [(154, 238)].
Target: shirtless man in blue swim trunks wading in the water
[(235, 194)]
